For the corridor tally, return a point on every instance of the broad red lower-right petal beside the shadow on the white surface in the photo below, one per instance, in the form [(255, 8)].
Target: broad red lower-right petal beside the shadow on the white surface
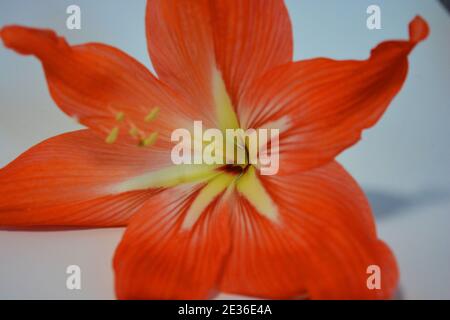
[(320, 249)]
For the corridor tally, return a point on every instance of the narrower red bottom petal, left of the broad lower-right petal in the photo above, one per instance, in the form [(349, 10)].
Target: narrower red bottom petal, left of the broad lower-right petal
[(158, 259)]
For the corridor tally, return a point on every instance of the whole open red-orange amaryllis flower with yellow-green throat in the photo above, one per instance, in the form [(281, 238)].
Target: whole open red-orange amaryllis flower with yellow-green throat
[(193, 230)]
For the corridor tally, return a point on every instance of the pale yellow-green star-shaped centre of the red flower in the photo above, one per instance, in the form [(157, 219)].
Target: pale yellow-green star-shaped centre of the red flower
[(214, 179)]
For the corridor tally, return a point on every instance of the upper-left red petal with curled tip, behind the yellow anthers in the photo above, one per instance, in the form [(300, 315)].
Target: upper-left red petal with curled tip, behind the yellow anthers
[(95, 83)]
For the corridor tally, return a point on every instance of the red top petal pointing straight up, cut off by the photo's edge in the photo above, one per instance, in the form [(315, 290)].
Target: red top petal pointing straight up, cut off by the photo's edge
[(189, 40)]
